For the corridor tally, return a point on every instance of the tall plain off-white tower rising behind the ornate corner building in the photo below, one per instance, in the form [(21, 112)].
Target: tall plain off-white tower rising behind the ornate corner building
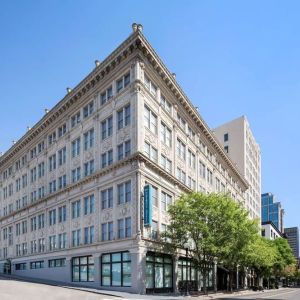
[(238, 141)]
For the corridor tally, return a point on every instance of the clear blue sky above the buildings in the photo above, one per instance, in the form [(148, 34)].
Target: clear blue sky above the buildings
[(231, 58)]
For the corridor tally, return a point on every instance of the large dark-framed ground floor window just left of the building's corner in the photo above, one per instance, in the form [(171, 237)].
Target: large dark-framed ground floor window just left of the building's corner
[(116, 269)]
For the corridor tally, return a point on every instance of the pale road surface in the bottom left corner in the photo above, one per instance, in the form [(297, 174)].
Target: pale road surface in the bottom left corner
[(21, 290)]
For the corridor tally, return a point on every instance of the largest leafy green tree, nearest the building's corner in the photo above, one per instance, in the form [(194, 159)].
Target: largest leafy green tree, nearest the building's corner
[(216, 226)]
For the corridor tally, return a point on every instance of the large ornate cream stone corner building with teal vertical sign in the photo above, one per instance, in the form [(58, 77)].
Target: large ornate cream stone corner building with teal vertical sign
[(84, 193)]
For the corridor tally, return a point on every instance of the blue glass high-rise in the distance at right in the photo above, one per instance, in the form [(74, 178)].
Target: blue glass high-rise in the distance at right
[(272, 211)]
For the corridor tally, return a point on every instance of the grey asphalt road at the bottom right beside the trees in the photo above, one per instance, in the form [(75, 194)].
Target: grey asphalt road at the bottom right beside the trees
[(283, 294)]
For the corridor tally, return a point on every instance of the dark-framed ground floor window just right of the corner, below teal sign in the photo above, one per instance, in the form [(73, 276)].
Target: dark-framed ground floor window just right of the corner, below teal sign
[(159, 272)]
